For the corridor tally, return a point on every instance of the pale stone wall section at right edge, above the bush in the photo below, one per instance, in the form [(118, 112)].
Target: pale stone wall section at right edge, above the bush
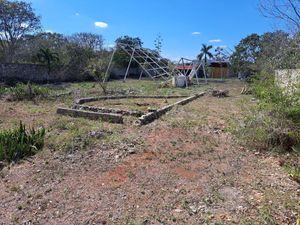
[(287, 79)]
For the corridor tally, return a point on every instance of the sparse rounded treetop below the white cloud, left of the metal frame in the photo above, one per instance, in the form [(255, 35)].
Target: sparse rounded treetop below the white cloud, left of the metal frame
[(88, 40)]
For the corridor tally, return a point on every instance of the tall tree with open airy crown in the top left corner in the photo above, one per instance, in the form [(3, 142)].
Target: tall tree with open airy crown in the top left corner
[(16, 20)]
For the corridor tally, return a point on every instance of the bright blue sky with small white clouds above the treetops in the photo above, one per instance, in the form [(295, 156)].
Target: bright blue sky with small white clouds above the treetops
[(183, 24)]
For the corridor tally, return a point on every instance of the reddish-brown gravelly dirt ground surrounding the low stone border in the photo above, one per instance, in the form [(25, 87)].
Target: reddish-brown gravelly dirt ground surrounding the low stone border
[(185, 168)]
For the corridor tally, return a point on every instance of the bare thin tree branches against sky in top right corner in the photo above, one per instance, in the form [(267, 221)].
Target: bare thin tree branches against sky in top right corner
[(285, 10)]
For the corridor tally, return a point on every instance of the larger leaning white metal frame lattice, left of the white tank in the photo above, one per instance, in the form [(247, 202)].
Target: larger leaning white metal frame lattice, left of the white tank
[(151, 62)]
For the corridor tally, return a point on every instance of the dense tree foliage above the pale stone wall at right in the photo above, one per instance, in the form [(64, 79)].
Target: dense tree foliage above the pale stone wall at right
[(266, 52)]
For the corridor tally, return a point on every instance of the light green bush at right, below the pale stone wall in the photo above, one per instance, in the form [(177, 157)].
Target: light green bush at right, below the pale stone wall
[(274, 123)]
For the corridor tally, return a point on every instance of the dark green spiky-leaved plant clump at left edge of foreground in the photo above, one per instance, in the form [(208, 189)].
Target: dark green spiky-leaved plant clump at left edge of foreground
[(19, 143)]
